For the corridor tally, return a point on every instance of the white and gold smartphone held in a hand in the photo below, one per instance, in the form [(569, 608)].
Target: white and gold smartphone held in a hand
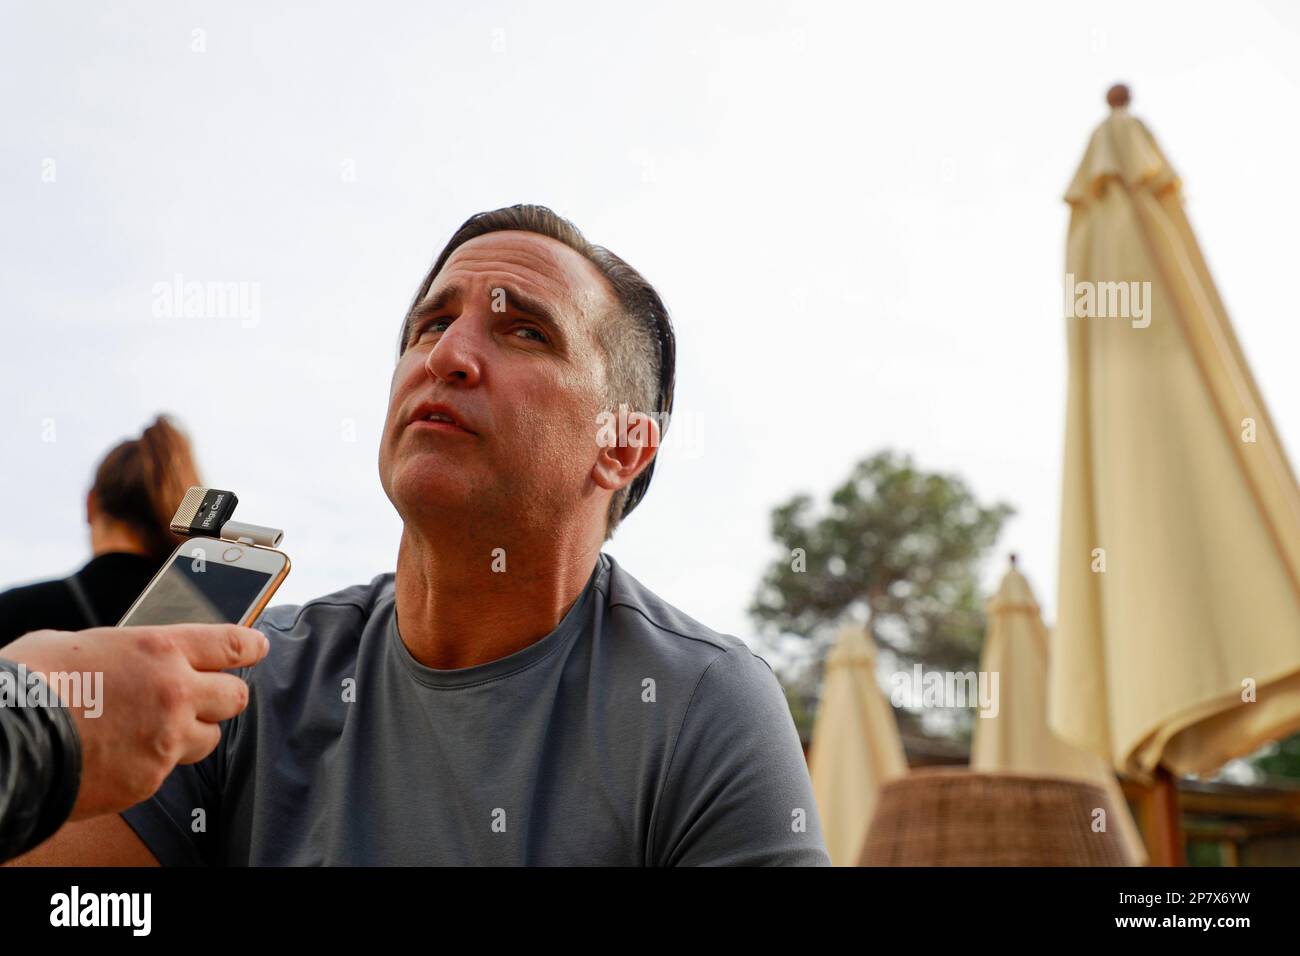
[(210, 582)]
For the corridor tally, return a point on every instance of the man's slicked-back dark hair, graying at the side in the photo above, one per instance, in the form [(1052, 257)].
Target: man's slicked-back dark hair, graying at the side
[(639, 343)]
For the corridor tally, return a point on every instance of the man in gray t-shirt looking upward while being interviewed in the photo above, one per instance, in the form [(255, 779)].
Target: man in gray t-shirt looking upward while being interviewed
[(512, 695)]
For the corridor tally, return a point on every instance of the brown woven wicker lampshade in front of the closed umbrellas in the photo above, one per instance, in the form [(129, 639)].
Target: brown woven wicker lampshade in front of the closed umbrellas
[(960, 819)]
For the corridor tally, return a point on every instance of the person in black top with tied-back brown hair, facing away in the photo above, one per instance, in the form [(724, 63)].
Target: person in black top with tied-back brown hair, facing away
[(137, 490)]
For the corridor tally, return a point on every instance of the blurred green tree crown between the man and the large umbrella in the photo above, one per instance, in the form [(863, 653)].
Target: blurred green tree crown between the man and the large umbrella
[(898, 550)]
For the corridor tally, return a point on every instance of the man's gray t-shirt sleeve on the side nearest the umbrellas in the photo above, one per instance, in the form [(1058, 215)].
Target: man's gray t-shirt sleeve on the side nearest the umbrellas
[(738, 790)]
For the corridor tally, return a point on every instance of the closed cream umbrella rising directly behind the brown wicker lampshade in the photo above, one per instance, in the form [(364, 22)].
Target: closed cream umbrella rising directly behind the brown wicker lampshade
[(1015, 738)]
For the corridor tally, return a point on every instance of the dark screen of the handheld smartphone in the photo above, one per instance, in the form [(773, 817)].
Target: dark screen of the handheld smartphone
[(218, 595)]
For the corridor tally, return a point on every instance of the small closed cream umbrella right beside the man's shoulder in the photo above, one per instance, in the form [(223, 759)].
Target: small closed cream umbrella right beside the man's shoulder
[(856, 746)]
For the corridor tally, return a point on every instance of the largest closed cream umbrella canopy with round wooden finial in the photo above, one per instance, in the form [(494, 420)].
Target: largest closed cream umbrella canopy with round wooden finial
[(1178, 633)]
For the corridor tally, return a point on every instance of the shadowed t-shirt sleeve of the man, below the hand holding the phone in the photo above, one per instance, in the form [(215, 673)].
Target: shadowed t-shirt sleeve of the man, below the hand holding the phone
[(171, 823)]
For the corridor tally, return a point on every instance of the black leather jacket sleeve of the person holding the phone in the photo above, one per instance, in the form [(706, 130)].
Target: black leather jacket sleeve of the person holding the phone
[(40, 765)]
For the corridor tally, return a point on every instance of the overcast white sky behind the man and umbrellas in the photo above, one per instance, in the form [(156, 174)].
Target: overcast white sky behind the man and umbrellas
[(853, 213)]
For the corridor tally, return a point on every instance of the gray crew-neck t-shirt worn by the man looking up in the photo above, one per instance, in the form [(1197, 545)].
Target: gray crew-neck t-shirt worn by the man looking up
[(631, 736)]
